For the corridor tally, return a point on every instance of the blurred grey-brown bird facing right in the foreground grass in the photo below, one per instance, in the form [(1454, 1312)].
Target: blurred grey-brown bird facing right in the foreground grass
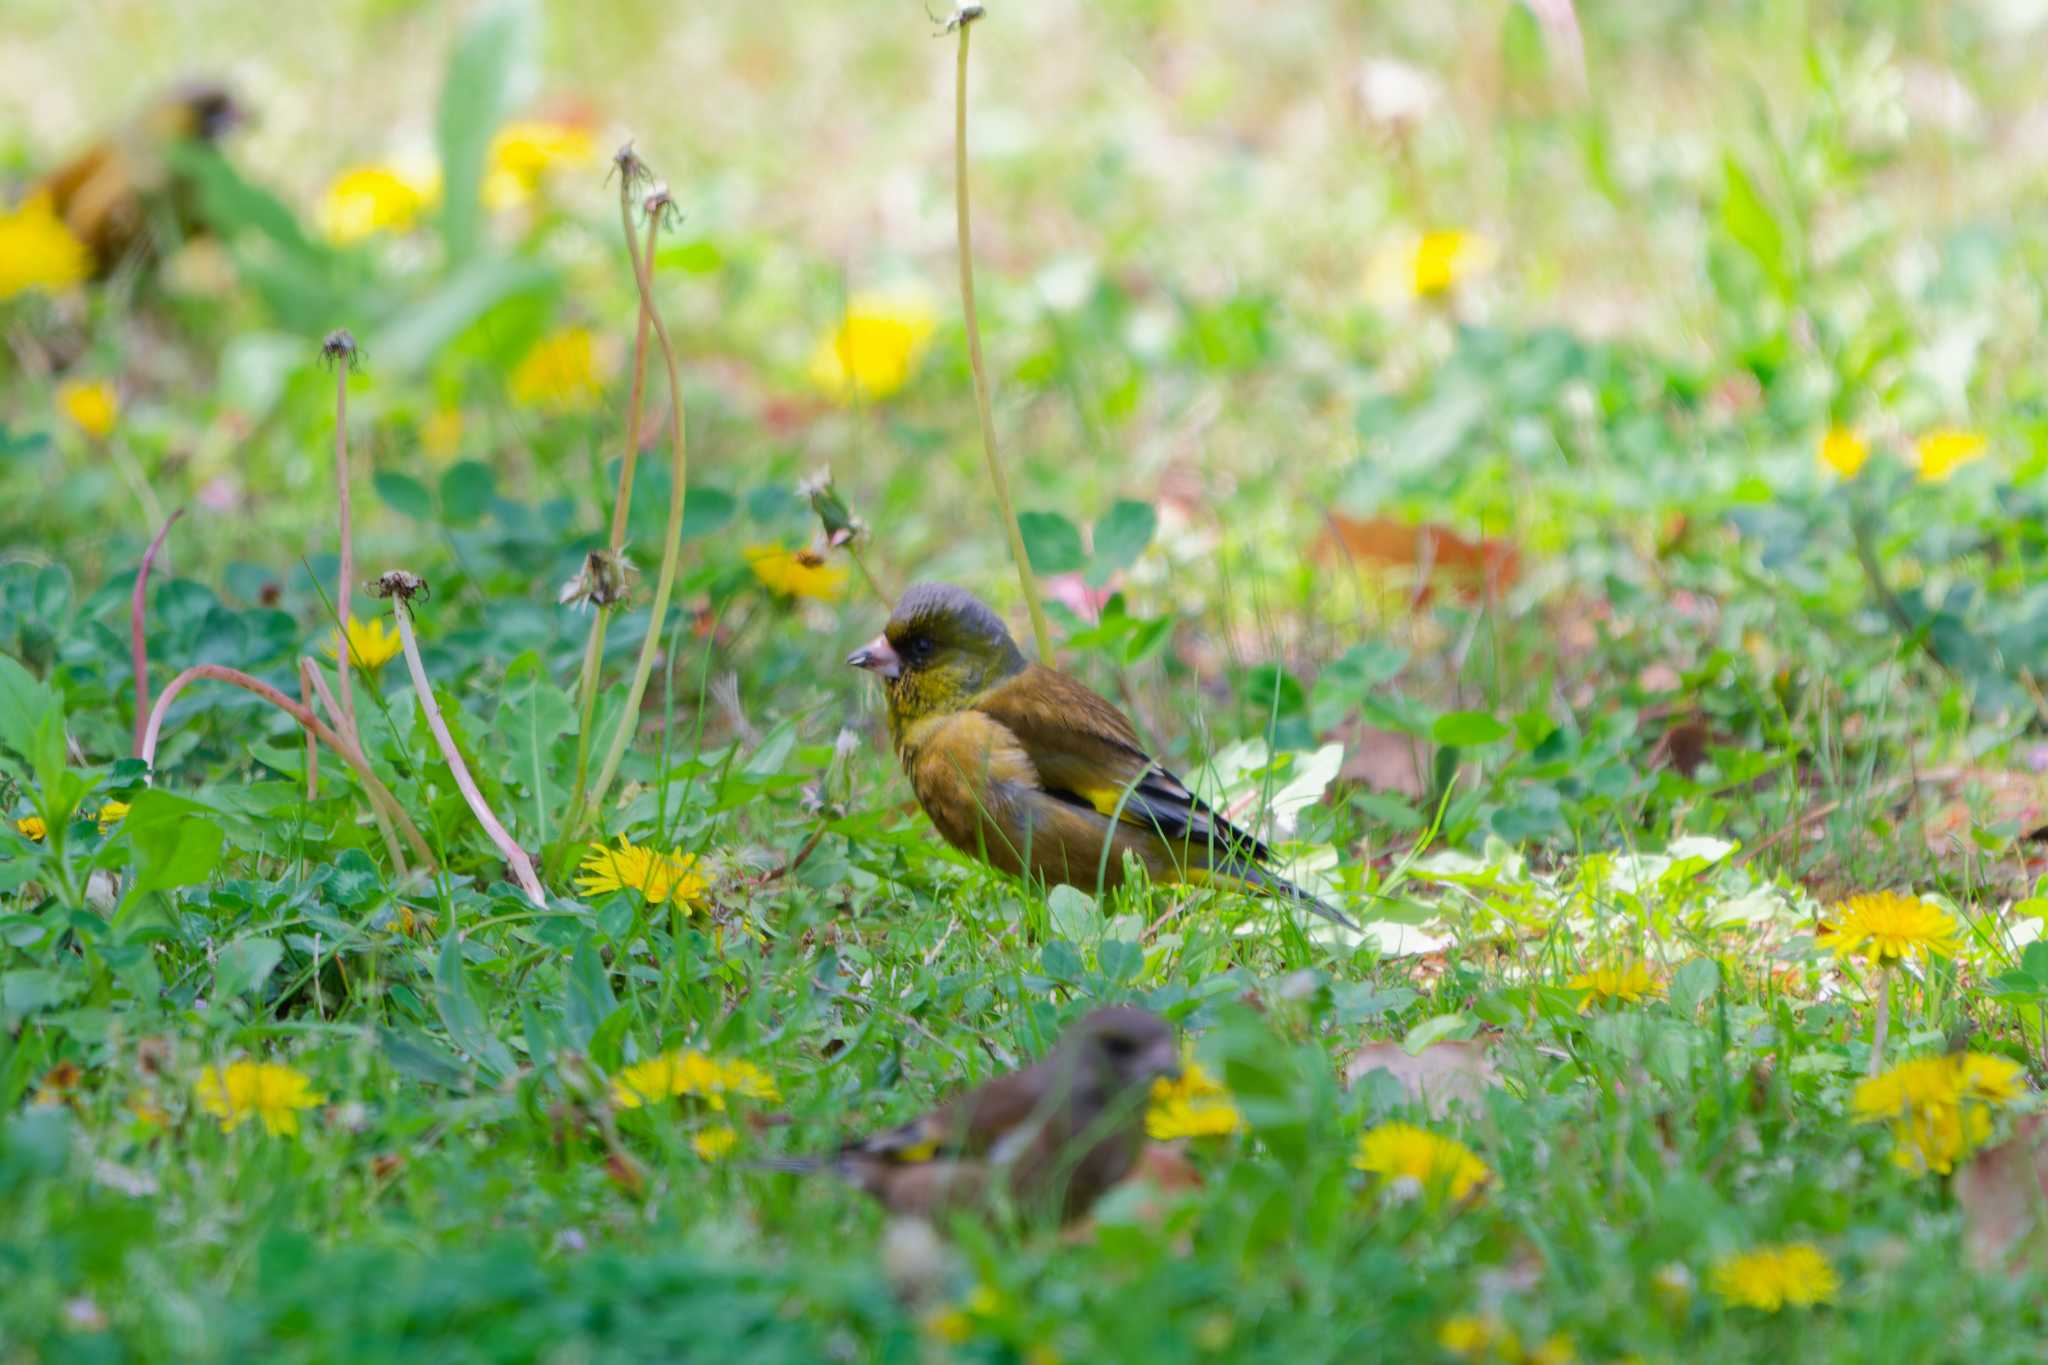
[(1052, 1137)]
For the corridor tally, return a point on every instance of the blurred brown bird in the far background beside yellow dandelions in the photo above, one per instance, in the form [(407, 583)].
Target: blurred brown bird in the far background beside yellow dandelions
[(124, 195)]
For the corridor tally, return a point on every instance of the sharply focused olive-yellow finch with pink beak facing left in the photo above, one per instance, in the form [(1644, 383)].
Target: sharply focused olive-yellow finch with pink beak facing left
[(1033, 773)]
